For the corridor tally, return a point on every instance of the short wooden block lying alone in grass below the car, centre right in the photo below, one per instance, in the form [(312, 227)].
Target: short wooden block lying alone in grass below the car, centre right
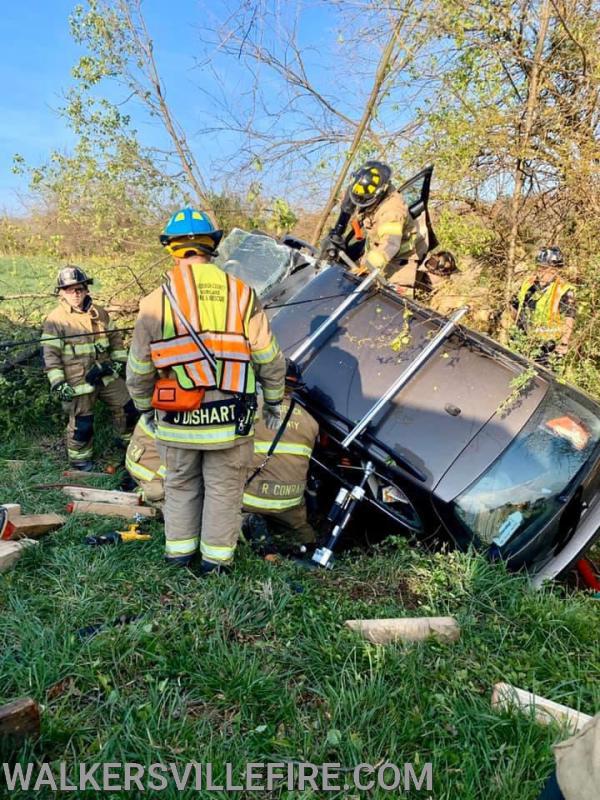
[(406, 629)]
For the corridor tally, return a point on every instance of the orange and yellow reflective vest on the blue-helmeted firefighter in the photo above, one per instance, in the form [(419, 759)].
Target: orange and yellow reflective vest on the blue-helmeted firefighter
[(218, 307)]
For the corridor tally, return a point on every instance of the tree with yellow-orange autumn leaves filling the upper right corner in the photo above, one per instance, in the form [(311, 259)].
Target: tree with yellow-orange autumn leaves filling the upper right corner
[(510, 119)]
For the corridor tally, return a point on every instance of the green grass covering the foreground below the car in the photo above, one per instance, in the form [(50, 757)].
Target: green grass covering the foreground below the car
[(259, 667)]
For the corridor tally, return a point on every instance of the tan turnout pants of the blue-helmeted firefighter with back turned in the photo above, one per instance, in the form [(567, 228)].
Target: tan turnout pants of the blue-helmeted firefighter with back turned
[(203, 500)]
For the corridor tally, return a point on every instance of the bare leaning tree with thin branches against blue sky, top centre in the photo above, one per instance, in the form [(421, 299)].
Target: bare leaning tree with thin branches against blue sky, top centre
[(304, 105)]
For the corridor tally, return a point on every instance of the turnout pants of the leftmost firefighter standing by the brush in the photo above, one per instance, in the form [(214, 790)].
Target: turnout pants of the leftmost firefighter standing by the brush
[(80, 428)]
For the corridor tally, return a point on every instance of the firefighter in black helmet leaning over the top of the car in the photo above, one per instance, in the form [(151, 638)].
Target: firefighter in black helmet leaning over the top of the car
[(394, 242)]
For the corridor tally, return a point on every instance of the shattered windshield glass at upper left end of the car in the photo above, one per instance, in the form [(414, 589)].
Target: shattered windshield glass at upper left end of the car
[(255, 258)]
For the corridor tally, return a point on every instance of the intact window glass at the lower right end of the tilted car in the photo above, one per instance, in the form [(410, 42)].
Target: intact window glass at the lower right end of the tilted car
[(520, 491)]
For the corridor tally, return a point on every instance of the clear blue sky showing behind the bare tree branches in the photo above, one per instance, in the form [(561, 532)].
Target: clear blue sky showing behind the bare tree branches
[(38, 54)]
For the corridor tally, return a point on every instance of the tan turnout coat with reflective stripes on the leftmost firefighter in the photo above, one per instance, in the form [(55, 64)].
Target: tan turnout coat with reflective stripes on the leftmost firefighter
[(73, 341)]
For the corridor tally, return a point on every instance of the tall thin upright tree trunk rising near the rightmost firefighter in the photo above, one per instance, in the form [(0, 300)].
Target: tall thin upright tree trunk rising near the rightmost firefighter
[(518, 174)]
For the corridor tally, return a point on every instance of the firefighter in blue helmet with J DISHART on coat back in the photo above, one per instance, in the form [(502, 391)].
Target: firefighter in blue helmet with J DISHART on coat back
[(200, 345)]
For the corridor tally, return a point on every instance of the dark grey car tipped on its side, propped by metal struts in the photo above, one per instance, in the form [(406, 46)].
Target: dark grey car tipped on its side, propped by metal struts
[(442, 432)]
